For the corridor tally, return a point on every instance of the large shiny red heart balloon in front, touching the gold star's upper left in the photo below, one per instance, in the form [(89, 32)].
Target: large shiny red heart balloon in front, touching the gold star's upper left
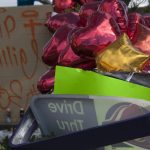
[(101, 30)]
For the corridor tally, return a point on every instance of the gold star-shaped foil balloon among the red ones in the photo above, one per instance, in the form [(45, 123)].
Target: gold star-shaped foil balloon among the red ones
[(121, 56)]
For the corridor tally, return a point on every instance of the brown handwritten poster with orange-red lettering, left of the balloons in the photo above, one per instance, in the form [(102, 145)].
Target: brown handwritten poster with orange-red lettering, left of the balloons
[(22, 38)]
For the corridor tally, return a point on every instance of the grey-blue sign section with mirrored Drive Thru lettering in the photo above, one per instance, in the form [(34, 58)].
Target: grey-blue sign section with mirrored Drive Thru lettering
[(63, 114)]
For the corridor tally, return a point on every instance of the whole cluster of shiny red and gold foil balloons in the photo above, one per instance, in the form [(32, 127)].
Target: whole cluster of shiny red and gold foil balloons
[(101, 34)]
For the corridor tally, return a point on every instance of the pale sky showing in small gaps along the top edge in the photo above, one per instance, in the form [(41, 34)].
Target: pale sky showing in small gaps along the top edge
[(14, 3)]
